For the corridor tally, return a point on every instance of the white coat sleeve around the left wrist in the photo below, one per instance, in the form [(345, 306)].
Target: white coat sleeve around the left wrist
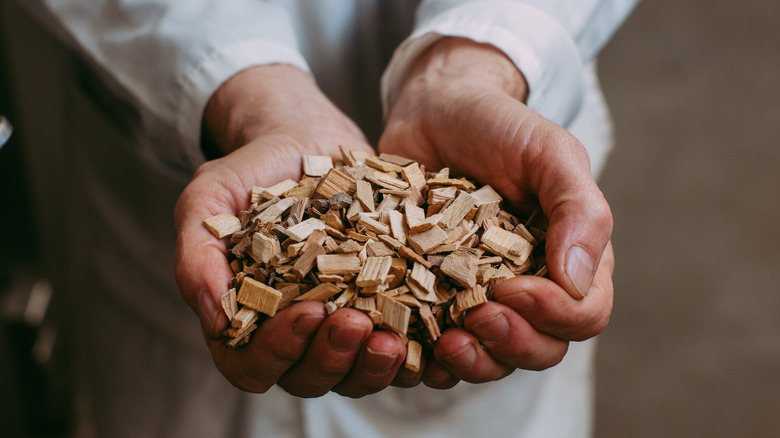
[(170, 56)]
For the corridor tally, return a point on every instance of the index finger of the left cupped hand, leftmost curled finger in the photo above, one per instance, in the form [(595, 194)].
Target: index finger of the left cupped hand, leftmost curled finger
[(275, 347)]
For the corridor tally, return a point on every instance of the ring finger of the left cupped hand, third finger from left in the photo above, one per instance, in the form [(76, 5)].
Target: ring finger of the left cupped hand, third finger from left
[(376, 366)]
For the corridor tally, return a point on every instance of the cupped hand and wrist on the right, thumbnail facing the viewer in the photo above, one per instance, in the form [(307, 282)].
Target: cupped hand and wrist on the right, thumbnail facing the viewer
[(461, 106)]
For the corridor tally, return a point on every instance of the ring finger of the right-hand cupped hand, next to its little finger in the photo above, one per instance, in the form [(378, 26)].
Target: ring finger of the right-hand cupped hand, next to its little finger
[(460, 352)]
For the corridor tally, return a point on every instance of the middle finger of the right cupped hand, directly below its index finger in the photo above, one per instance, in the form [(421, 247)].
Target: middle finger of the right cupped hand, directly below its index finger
[(511, 340)]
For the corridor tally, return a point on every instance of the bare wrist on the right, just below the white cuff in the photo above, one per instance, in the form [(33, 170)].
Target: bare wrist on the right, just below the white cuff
[(463, 61)]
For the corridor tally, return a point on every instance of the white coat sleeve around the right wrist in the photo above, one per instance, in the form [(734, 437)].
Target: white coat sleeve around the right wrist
[(551, 42)]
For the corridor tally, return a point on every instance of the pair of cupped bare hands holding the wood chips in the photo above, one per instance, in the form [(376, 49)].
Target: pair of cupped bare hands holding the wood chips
[(460, 107)]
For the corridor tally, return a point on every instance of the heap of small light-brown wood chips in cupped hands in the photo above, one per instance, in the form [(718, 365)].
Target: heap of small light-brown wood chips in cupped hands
[(411, 249)]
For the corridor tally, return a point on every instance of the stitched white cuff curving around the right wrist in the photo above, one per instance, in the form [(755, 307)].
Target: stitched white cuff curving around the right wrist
[(537, 44)]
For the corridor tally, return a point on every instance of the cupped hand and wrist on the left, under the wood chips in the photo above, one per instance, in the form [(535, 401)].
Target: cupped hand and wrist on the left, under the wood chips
[(265, 118)]
